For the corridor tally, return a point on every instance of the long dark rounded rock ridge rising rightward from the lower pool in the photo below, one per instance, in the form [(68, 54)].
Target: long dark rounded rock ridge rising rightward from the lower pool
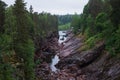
[(81, 59)]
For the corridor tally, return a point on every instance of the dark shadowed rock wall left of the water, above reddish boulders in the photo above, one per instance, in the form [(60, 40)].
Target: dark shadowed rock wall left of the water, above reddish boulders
[(47, 47)]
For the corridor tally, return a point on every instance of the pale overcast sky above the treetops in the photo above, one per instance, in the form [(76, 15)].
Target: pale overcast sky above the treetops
[(55, 6)]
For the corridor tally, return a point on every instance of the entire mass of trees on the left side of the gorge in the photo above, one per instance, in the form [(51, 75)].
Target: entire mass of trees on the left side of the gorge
[(20, 30)]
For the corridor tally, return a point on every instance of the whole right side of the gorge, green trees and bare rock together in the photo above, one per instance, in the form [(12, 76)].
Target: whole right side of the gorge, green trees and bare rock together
[(93, 51)]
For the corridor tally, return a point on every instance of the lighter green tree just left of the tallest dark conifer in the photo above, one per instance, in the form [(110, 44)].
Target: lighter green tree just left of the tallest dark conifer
[(10, 24)]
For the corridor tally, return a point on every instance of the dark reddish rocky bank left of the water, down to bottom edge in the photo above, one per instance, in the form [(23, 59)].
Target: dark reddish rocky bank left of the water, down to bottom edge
[(46, 48)]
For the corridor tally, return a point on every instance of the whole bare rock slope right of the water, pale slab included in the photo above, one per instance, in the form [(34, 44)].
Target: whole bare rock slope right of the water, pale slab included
[(93, 64)]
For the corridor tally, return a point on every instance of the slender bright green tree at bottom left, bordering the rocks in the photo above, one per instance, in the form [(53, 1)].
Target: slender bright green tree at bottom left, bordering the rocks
[(29, 60)]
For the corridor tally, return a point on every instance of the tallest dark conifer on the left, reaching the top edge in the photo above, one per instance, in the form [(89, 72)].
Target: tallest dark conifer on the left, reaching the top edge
[(21, 18)]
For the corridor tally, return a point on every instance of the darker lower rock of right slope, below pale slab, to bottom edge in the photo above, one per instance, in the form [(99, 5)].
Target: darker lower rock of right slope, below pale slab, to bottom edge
[(93, 64)]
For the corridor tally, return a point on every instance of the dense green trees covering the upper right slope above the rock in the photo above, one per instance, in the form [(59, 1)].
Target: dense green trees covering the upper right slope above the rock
[(100, 22)]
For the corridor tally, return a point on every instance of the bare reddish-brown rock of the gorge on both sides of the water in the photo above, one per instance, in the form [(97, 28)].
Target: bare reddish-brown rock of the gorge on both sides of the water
[(75, 64)]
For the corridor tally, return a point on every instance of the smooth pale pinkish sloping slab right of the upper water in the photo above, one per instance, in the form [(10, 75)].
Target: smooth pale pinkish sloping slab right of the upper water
[(70, 45)]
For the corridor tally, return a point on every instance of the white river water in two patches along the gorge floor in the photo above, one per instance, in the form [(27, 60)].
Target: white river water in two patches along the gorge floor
[(56, 59)]
